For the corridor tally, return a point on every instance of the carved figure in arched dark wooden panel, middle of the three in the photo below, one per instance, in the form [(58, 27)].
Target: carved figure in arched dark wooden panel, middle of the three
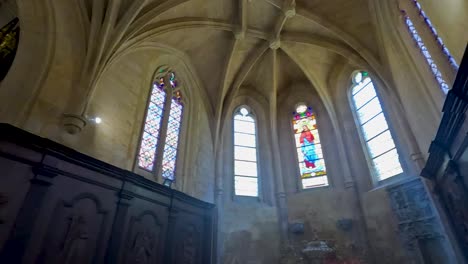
[(142, 247)]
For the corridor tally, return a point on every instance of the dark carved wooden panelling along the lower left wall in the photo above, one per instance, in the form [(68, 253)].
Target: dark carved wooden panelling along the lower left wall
[(60, 206)]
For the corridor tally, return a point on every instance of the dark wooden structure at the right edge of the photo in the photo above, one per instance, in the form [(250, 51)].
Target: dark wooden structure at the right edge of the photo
[(447, 165)]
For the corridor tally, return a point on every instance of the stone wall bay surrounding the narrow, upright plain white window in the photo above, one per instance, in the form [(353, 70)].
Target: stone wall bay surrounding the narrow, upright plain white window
[(248, 226)]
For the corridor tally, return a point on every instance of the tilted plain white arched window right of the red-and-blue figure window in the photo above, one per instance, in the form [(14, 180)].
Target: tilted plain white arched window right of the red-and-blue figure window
[(379, 142)]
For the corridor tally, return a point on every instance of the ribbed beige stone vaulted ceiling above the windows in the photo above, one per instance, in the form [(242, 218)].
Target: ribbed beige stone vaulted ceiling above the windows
[(231, 43)]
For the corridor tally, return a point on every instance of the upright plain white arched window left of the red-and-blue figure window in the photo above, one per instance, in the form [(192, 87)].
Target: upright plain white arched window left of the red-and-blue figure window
[(245, 153)]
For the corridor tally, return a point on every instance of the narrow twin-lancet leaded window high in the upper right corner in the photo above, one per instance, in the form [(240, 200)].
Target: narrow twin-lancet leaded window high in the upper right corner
[(423, 47)]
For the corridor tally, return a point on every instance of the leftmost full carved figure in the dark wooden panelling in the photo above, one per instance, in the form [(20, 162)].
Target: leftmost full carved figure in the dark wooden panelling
[(73, 248)]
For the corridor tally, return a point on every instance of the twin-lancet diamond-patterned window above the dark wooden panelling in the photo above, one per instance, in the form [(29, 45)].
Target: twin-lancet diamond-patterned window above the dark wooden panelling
[(160, 139)]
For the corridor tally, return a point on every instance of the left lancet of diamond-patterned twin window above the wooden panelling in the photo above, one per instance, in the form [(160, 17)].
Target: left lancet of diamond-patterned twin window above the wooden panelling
[(152, 127)]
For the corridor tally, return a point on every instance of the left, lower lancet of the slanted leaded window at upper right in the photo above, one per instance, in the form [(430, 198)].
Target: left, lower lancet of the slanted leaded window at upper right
[(425, 52)]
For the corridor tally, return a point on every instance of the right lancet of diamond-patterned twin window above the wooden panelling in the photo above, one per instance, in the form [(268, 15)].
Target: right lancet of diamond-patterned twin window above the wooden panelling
[(172, 140)]
